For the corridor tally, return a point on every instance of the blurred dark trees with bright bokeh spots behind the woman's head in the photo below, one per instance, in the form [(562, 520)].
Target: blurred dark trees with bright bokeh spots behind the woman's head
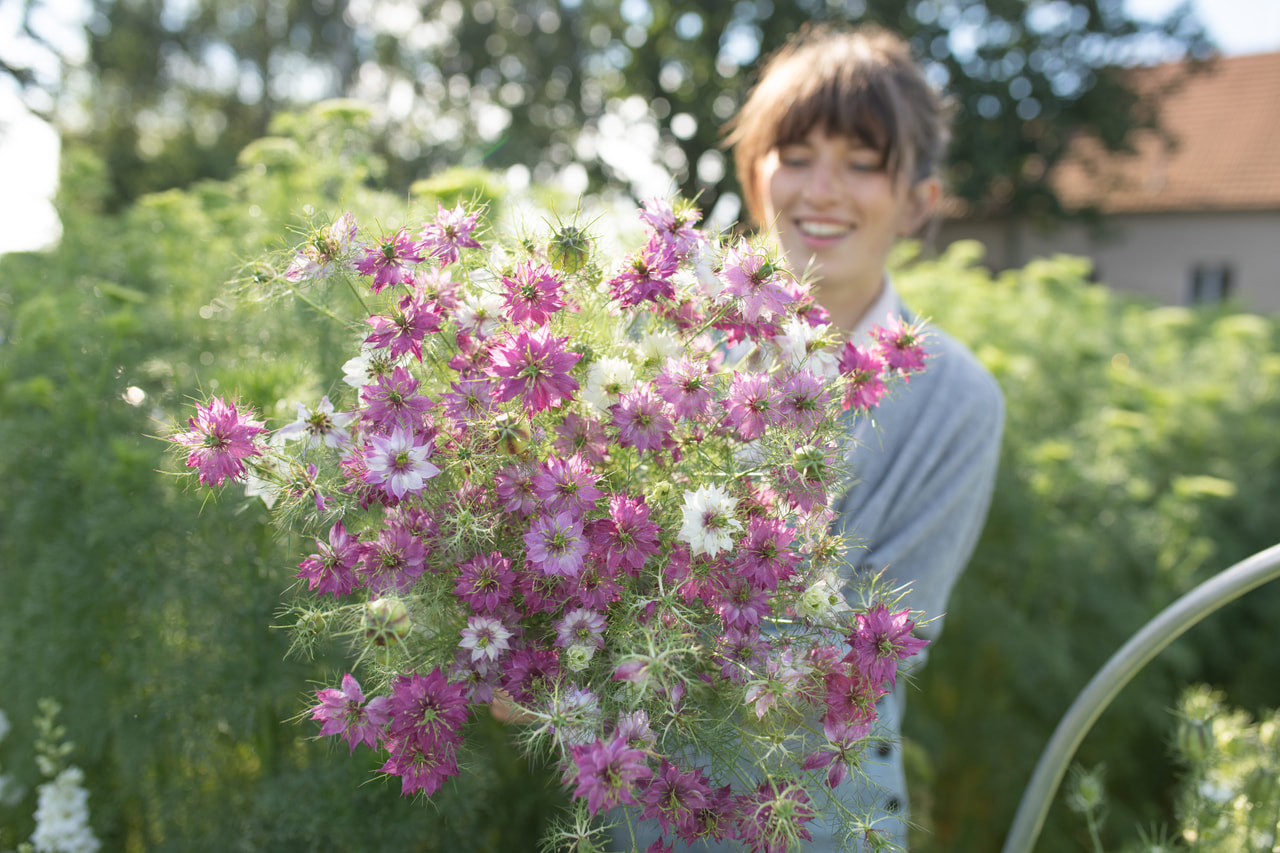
[(606, 93)]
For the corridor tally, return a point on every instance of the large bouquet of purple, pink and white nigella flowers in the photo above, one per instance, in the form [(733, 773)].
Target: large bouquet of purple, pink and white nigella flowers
[(595, 499)]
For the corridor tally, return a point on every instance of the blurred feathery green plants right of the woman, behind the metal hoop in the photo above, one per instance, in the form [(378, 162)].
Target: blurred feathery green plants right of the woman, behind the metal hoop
[(1139, 460)]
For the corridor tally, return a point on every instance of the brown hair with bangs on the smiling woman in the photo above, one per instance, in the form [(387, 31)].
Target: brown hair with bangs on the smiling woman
[(862, 84)]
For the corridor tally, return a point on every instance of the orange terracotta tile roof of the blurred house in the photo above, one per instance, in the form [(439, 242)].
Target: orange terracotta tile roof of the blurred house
[(1226, 124)]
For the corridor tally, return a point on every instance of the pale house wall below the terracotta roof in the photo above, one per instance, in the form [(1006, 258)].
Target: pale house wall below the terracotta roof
[(1151, 254)]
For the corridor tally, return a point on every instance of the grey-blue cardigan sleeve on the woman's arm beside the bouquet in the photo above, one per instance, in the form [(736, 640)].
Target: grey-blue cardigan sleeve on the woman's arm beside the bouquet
[(924, 478)]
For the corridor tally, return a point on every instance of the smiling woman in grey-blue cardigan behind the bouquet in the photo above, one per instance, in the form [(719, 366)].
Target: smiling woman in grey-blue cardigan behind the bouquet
[(838, 150)]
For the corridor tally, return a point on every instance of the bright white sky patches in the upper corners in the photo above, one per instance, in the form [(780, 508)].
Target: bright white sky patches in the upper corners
[(29, 148)]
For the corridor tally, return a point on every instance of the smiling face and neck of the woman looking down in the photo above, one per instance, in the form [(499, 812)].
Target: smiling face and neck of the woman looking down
[(833, 203)]
